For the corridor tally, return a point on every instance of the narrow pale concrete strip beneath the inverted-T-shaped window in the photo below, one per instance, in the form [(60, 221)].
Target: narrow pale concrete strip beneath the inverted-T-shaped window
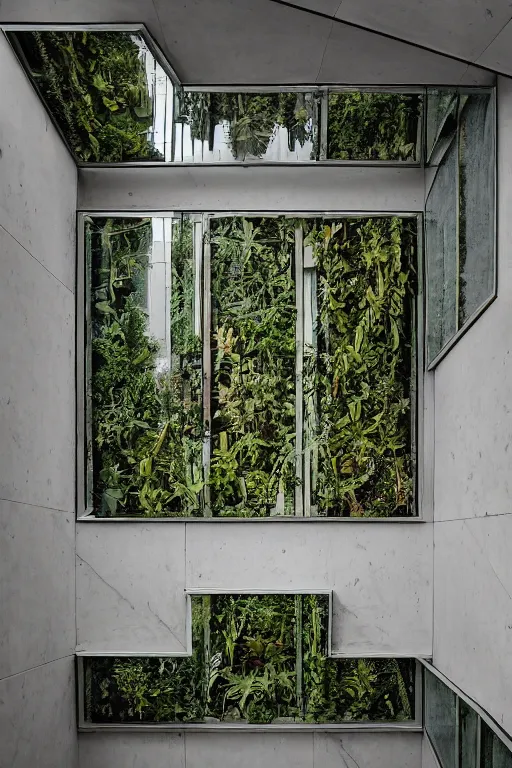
[(250, 750)]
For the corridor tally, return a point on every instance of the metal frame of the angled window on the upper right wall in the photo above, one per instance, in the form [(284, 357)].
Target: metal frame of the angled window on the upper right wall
[(462, 330)]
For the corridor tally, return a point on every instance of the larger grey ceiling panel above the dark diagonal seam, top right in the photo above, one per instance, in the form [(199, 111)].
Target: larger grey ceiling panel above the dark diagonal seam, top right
[(461, 28)]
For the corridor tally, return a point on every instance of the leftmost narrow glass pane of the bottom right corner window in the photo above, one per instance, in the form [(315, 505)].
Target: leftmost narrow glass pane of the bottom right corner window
[(440, 719)]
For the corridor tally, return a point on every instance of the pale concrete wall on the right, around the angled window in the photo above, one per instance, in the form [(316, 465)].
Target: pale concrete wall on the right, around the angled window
[(473, 482)]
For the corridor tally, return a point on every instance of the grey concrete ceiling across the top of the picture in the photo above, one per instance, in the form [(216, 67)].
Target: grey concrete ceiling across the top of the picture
[(268, 42)]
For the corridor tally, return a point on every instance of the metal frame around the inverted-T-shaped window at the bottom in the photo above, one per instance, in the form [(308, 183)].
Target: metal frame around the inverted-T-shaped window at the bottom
[(414, 725)]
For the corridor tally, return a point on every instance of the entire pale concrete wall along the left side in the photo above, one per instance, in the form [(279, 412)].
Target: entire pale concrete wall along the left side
[(37, 431)]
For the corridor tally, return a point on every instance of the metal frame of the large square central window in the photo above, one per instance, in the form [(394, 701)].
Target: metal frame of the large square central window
[(85, 512)]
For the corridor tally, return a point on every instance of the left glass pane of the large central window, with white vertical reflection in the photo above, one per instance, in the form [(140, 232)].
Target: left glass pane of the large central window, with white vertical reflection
[(145, 367)]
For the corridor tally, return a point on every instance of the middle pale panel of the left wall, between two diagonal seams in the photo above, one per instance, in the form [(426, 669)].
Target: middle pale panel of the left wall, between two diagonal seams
[(37, 399)]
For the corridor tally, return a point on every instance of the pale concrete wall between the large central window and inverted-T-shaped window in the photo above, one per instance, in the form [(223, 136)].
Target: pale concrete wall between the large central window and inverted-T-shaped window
[(131, 578)]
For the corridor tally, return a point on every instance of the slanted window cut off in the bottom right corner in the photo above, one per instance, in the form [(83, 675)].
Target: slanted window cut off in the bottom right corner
[(460, 736)]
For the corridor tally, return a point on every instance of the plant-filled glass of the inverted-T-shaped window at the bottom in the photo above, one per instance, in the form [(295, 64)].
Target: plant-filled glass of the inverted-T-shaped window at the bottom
[(255, 658)]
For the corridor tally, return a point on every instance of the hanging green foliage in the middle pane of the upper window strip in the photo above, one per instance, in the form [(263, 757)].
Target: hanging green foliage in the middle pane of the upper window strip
[(252, 118)]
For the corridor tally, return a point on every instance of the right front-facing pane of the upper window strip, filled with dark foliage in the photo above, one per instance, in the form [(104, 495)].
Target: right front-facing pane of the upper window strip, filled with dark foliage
[(373, 126)]
